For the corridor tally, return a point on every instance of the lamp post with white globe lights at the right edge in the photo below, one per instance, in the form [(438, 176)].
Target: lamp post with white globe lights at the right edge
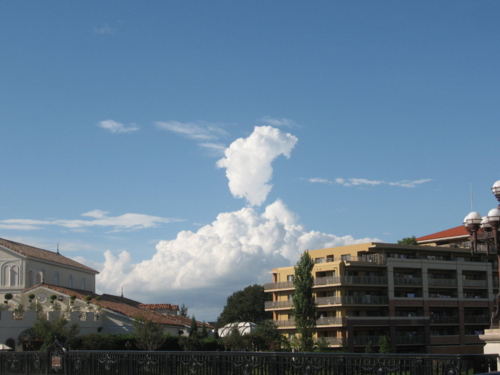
[(485, 230)]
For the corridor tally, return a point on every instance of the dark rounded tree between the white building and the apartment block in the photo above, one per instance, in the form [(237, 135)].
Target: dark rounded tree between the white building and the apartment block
[(245, 305)]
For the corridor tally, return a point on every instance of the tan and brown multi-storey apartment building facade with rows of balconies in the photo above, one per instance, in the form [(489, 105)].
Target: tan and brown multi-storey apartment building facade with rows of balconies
[(426, 299)]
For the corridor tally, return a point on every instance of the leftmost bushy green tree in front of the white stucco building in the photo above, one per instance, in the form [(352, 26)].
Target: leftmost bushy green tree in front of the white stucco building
[(48, 331)]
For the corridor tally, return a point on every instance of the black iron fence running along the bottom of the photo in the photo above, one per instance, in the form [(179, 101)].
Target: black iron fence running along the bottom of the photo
[(58, 361)]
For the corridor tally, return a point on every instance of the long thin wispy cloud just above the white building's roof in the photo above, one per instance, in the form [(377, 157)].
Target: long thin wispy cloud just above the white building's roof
[(128, 221)]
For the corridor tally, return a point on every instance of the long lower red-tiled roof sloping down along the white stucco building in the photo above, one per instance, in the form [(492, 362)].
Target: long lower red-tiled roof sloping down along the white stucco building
[(121, 305)]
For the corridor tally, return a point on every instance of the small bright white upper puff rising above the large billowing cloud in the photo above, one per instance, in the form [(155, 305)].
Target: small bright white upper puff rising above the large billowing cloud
[(248, 162)]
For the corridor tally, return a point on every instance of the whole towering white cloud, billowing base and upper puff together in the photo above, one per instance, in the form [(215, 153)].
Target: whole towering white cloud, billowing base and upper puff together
[(239, 248)]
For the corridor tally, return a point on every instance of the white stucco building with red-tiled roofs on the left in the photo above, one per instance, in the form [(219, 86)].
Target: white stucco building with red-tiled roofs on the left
[(53, 279)]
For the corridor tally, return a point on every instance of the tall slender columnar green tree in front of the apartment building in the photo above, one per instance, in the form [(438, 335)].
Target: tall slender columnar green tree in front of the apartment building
[(304, 304)]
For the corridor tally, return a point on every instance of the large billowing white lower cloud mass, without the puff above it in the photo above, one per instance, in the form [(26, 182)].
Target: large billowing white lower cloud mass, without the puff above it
[(238, 249)]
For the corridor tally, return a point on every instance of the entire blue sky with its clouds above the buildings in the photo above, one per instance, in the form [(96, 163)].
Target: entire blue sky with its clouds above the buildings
[(336, 122)]
